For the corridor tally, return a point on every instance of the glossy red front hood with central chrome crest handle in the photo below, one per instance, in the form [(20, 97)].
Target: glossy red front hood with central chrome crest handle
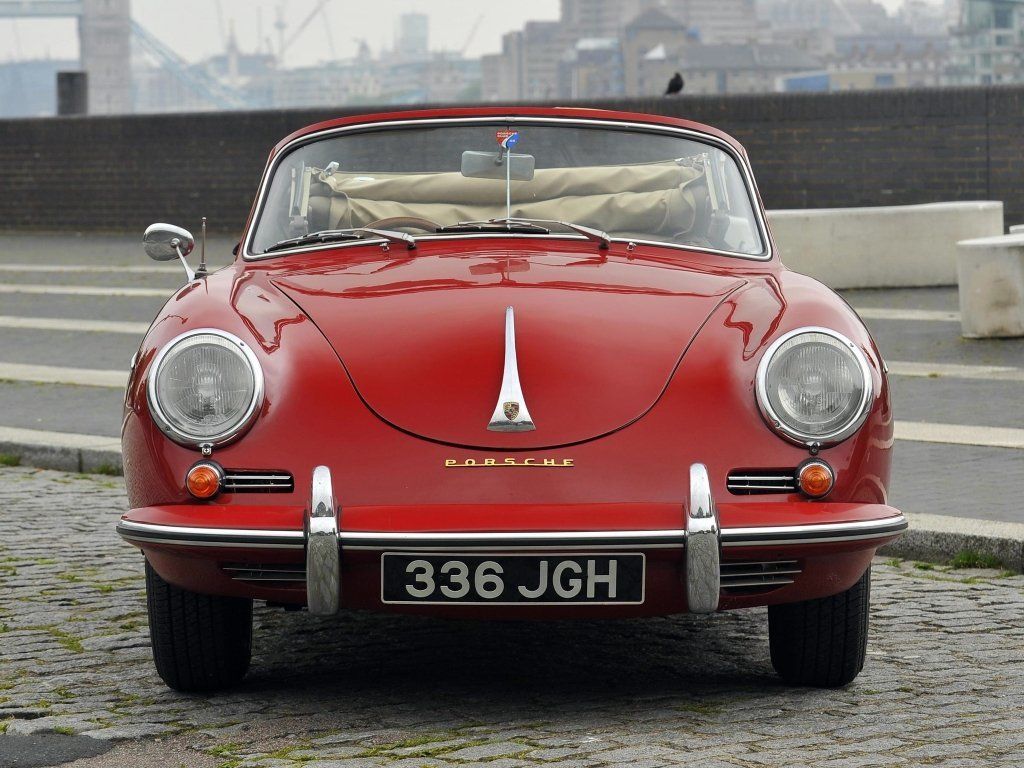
[(423, 338)]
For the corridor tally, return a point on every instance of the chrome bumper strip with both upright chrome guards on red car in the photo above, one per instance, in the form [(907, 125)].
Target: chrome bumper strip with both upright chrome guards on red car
[(324, 541)]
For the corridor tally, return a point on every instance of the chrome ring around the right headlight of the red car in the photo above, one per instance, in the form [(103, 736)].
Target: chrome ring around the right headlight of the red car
[(794, 434)]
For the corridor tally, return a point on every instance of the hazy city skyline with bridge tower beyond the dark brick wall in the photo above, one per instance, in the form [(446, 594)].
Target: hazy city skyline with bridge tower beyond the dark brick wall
[(595, 50)]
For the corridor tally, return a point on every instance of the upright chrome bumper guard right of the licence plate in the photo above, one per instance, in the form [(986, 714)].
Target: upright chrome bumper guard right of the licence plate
[(703, 545)]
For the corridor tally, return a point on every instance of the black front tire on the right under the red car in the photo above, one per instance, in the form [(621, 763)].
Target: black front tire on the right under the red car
[(822, 644)]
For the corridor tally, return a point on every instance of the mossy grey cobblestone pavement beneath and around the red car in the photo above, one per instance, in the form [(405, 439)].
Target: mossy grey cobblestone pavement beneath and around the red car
[(945, 682)]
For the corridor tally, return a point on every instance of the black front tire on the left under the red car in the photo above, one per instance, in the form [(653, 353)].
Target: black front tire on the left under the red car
[(200, 643)]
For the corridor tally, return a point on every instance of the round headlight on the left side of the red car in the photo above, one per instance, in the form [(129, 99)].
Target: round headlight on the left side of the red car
[(205, 388)]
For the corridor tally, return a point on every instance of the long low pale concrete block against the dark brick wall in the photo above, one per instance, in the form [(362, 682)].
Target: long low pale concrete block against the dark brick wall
[(884, 247)]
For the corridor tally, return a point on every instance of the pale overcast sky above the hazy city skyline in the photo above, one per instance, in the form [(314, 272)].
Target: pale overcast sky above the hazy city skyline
[(193, 28)]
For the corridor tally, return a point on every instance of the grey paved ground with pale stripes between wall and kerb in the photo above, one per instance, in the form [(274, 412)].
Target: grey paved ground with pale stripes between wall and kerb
[(959, 383)]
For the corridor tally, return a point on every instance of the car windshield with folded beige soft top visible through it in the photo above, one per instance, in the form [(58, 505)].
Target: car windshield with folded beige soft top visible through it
[(632, 185)]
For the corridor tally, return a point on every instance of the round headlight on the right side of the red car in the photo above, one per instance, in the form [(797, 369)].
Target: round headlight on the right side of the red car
[(815, 386)]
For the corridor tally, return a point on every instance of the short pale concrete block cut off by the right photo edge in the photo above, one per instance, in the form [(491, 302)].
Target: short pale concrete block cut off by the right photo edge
[(991, 274)]
